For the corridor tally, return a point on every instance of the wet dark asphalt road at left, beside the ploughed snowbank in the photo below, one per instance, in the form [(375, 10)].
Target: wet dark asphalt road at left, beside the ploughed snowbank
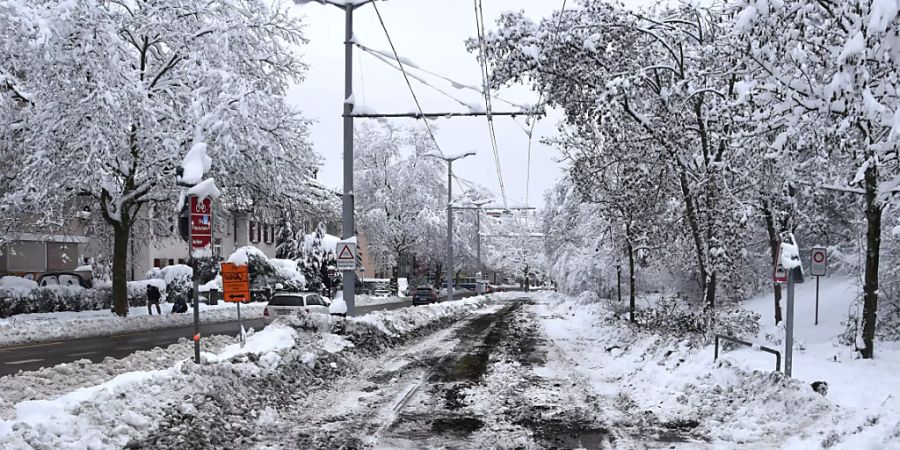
[(36, 356)]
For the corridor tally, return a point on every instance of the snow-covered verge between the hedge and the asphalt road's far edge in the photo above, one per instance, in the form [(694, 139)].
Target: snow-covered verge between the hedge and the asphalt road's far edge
[(48, 327)]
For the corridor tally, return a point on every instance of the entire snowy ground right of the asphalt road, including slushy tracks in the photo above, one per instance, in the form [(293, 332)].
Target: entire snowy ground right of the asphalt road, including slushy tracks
[(557, 371)]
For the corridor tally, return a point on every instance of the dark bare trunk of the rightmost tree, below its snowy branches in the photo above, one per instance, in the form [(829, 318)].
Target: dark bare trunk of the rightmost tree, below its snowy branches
[(873, 249)]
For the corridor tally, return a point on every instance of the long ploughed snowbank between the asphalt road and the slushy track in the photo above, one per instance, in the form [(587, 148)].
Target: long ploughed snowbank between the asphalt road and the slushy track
[(150, 401)]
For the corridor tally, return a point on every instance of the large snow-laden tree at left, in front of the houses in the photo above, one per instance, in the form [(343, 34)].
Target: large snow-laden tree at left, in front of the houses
[(106, 97)]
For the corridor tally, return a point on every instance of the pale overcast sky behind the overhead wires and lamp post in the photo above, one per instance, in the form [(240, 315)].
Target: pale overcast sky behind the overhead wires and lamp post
[(430, 33)]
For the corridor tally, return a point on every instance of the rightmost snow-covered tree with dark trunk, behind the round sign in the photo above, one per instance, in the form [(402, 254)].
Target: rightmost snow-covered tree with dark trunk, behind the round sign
[(833, 67)]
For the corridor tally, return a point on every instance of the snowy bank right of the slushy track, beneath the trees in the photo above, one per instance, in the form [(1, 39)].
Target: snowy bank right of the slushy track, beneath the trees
[(738, 401)]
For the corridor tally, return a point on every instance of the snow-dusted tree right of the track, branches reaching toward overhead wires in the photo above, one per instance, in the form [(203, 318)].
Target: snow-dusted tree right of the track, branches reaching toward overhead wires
[(657, 87)]
